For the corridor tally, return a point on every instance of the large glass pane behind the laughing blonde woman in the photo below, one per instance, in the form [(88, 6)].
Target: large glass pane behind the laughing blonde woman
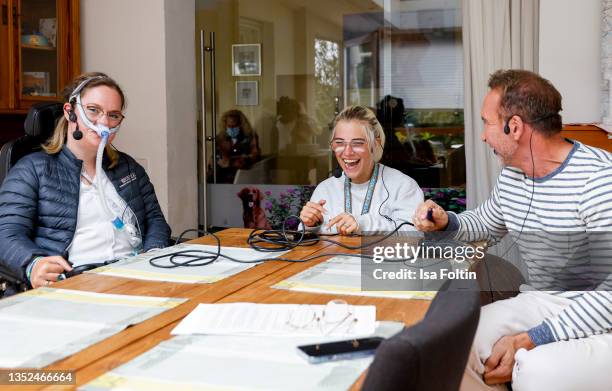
[(285, 68)]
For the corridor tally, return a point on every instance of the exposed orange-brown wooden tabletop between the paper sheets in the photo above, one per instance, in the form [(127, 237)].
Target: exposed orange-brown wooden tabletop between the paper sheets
[(252, 285)]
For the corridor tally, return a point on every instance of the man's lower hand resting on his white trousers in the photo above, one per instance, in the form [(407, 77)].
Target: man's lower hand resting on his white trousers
[(498, 367)]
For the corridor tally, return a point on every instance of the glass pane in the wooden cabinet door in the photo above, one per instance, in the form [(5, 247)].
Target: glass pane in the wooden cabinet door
[(39, 70)]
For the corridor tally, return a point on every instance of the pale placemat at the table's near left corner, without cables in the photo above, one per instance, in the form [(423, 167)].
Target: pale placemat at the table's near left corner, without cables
[(44, 325)]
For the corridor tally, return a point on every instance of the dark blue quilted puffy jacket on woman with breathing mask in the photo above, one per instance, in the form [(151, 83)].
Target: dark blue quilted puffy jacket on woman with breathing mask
[(39, 201)]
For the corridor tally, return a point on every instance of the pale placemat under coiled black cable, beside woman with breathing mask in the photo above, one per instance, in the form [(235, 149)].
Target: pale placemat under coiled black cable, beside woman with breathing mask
[(138, 267)]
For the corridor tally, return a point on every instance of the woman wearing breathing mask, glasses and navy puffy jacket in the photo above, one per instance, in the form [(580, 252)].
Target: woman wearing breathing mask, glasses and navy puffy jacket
[(80, 200)]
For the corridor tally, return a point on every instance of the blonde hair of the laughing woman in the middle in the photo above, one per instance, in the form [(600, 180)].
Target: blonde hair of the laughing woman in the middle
[(373, 130)]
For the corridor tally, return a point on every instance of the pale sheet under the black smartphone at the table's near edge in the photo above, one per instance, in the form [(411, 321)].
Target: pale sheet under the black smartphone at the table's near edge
[(234, 363)]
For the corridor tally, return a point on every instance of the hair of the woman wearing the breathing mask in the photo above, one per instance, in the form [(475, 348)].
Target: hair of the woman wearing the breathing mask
[(56, 142)]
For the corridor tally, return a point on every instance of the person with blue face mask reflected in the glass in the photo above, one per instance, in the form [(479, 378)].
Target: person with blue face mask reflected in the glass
[(237, 146)]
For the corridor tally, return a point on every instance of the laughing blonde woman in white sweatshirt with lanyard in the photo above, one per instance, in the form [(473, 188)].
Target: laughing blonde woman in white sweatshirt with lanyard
[(363, 195)]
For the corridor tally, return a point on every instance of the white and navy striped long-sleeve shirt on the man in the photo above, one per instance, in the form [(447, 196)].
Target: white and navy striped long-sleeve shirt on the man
[(562, 224)]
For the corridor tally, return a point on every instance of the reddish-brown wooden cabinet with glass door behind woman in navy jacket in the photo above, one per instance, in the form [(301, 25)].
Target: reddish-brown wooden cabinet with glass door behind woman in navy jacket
[(39, 51)]
